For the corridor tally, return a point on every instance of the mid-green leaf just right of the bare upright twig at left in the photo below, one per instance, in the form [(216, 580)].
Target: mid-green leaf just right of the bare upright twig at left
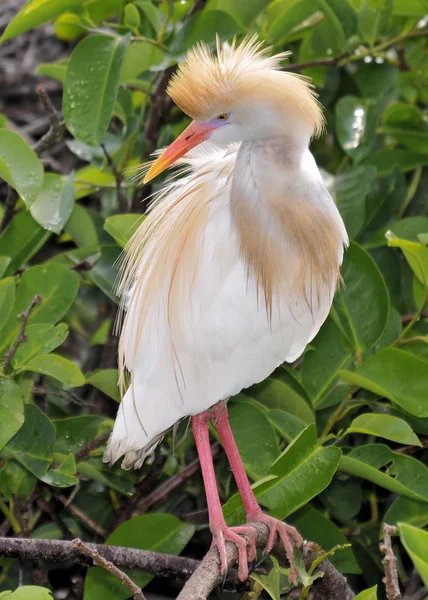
[(41, 339)]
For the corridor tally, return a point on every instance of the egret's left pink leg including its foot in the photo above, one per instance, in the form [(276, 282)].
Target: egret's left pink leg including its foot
[(221, 532)]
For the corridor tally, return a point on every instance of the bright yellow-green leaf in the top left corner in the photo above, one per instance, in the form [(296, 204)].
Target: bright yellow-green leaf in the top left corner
[(35, 13)]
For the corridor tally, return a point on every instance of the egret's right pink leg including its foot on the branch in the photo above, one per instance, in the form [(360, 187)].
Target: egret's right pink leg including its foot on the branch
[(252, 509)]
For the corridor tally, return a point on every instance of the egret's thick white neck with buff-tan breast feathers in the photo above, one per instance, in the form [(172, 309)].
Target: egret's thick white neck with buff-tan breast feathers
[(288, 229)]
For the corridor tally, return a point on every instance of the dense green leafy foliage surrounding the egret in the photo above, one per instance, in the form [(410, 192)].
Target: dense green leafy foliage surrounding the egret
[(345, 428)]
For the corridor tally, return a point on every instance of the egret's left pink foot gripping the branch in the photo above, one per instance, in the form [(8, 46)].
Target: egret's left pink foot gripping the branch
[(246, 548)]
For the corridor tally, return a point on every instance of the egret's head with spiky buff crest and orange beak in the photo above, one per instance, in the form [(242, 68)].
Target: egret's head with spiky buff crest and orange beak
[(240, 94)]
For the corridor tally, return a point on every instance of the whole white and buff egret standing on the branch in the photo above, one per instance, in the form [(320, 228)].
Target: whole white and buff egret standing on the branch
[(234, 269)]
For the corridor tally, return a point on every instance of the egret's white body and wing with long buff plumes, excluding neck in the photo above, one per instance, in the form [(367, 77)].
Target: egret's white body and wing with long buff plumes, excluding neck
[(198, 329)]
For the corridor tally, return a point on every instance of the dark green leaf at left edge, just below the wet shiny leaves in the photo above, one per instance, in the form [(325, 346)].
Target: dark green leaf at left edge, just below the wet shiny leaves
[(21, 239)]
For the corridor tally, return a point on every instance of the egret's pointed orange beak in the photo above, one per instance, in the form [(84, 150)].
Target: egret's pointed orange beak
[(192, 136)]
